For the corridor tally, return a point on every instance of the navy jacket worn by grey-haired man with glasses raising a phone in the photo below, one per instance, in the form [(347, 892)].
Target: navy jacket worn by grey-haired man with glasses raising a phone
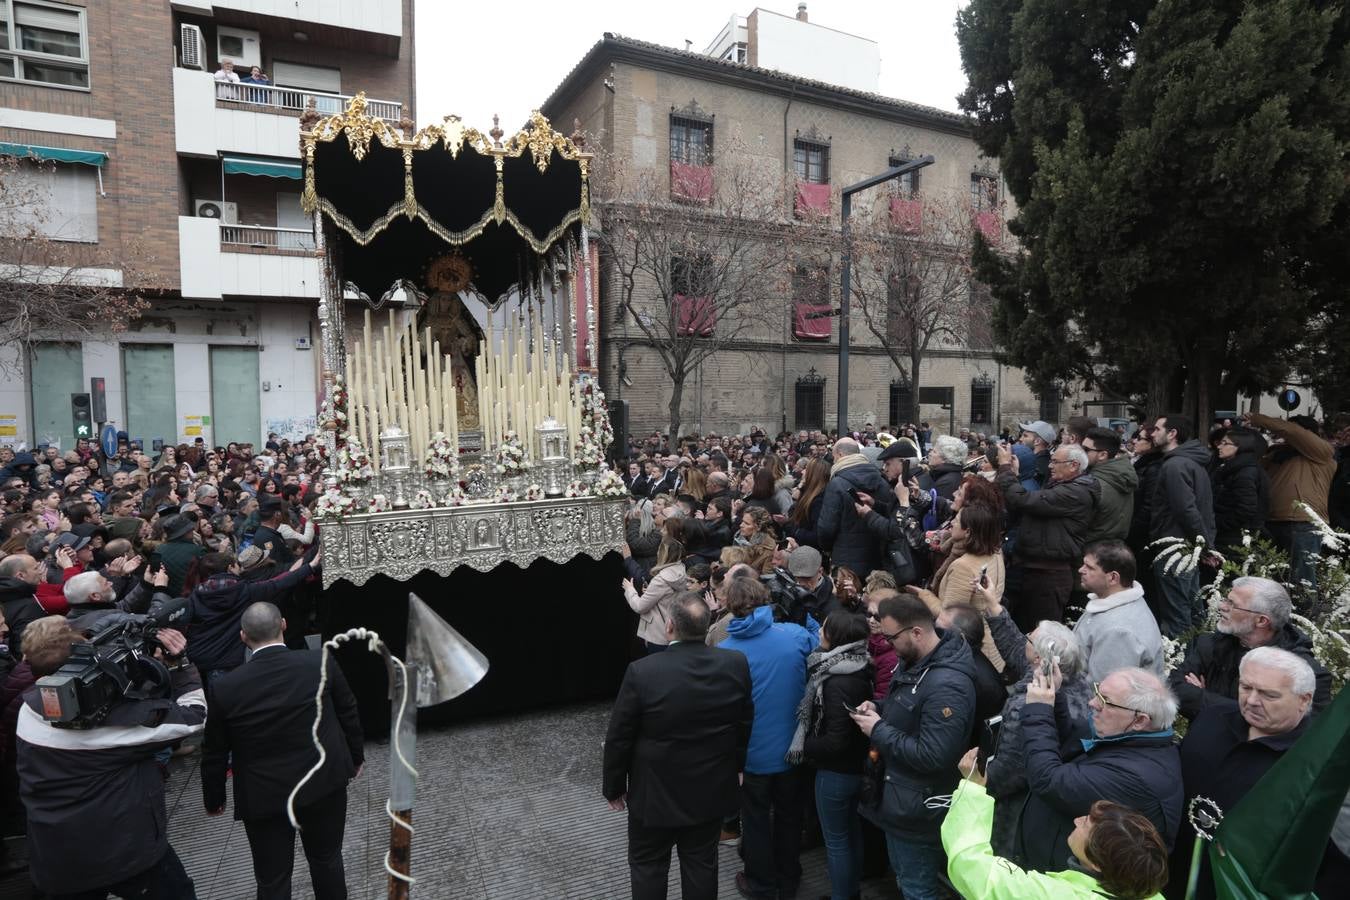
[(1141, 771)]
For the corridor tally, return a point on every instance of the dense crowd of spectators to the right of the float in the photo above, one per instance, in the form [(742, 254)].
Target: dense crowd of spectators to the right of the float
[(955, 650)]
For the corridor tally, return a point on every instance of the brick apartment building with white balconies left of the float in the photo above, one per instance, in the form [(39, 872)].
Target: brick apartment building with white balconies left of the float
[(195, 183)]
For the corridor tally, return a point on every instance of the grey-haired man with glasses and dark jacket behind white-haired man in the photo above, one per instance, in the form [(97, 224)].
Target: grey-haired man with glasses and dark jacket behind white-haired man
[(1255, 613)]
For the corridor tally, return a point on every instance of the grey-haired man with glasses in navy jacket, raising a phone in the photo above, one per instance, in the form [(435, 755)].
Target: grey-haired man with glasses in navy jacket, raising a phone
[(1128, 758)]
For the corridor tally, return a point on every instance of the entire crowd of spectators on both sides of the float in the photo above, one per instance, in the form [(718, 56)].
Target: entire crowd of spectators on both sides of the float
[(939, 654)]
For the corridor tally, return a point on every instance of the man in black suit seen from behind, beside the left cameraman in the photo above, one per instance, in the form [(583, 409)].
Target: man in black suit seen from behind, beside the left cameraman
[(263, 714)]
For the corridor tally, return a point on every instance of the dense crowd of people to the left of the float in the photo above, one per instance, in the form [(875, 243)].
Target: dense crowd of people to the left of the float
[(218, 549)]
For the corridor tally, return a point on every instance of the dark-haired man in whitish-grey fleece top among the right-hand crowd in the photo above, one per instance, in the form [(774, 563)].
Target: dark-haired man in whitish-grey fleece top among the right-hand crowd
[(1117, 631)]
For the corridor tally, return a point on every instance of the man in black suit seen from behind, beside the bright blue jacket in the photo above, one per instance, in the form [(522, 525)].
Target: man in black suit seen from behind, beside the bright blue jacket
[(676, 748)]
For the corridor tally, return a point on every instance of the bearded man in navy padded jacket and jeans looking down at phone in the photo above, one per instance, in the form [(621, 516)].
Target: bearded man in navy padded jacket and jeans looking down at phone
[(921, 731)]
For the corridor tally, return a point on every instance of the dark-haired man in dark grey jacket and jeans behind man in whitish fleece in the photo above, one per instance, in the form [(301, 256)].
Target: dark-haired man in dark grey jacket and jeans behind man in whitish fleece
[(1183, 507)]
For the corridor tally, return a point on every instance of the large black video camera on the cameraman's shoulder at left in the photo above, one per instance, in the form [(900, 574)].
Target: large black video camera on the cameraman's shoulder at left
[(118, 662)]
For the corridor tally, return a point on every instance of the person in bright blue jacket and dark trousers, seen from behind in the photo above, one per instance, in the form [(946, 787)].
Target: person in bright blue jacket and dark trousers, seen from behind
[(773, 790)]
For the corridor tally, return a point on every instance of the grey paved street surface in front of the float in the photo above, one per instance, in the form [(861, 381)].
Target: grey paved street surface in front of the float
[(507, 808)]
